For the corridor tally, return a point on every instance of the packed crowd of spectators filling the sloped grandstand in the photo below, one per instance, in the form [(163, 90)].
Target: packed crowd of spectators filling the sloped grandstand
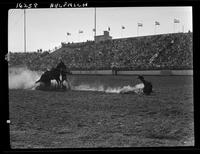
[(166, 51)]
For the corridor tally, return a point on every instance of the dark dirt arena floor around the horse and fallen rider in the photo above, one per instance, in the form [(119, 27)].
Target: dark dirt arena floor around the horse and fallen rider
[(82, 119)]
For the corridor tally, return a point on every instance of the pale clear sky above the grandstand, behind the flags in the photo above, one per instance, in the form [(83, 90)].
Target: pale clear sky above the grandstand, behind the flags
[(47, 28)]
